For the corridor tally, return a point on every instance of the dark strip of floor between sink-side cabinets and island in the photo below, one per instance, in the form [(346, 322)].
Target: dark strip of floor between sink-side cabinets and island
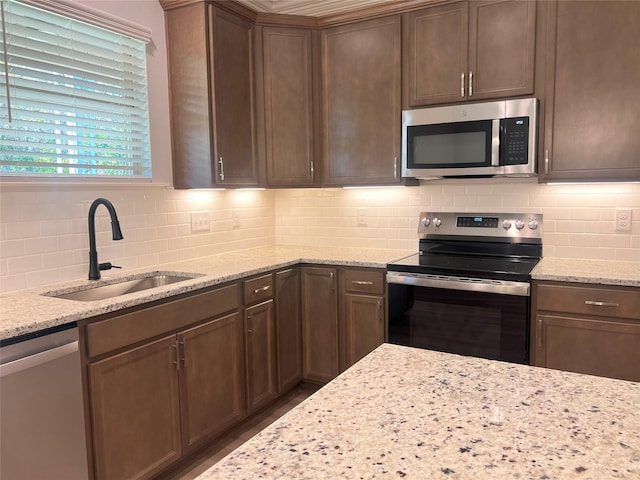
[(237, 437)]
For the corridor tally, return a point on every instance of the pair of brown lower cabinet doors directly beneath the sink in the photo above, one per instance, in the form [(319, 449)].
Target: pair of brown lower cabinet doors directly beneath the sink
[(153, 403)]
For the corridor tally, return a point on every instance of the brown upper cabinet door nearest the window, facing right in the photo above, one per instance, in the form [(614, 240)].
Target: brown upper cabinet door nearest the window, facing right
[(235, 140)]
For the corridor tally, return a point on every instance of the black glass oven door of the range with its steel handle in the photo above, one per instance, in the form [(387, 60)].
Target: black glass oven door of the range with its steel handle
[(452, 317)]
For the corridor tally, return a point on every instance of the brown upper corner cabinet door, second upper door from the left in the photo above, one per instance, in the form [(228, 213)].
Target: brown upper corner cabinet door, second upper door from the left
[(288, 107)]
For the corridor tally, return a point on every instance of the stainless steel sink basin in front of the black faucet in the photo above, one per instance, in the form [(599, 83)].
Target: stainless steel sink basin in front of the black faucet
[(102, 292)]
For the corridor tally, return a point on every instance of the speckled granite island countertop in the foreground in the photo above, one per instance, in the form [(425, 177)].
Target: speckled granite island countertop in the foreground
[(409, 413)]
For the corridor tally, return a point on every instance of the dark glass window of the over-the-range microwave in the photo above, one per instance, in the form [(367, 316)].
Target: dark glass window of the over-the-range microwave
[(450, 145)]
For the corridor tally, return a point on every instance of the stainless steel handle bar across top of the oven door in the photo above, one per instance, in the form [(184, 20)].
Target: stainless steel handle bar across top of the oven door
[(502, 287)]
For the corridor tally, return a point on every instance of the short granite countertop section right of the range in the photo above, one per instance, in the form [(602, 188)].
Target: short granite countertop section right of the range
[(605, 272)]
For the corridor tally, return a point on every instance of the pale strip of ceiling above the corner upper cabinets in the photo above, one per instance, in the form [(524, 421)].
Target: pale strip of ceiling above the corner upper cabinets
[(313, 8)]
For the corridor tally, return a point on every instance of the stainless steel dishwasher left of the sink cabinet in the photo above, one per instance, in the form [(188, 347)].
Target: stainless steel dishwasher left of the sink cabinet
[(42, 431)]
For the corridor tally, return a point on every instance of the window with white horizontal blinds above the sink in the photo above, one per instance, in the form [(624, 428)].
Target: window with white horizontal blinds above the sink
[(73, 94)]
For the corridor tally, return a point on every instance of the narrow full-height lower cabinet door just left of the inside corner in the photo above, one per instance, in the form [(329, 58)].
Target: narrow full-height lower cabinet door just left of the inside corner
[(288, 329)]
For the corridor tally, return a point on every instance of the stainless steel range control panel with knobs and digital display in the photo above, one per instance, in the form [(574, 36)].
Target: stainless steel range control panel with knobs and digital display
[(503, 225)]
